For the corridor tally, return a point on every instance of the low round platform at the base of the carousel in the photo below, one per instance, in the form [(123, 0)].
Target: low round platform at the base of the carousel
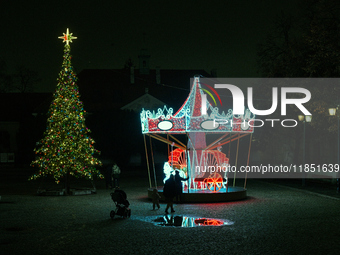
[(207, 196)]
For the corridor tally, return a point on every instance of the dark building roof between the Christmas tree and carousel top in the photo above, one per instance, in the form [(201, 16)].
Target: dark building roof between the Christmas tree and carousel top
[(105, 89)]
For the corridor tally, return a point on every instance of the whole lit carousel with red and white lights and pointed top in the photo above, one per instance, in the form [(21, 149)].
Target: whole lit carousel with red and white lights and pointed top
[(205, 165)]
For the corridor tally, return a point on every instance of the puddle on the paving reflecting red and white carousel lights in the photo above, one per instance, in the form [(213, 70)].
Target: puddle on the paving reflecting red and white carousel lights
[(188, 222)]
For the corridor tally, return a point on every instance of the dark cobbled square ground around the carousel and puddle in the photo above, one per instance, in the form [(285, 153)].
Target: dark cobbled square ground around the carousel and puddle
[(275, 219)]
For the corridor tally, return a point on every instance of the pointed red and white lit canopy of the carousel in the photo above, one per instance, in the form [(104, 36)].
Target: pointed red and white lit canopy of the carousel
[(192, 117)]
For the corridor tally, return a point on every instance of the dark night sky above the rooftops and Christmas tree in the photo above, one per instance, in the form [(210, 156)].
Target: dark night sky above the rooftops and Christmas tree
[(178, 34)]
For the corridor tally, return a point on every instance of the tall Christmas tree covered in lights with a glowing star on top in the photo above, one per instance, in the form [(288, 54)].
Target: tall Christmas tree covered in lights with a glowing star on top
[(66, 149)]
